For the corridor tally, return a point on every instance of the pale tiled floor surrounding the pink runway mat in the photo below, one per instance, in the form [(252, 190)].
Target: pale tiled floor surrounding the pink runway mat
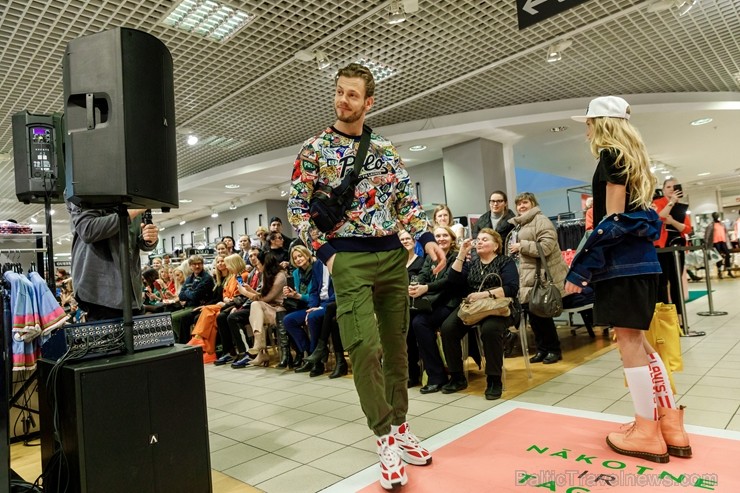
[(281, 431)]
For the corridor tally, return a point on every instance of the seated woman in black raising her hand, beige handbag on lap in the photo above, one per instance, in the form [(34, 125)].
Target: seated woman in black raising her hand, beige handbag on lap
[(490, 275)]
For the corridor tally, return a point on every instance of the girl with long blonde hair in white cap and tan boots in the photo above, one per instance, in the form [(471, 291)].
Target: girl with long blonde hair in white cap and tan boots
[(621, 263)]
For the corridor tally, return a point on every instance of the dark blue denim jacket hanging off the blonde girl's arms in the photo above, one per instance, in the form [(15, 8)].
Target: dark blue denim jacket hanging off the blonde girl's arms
[(620, 245)]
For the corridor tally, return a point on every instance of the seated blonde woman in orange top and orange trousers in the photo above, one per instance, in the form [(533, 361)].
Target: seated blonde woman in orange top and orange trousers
[(206, 329)]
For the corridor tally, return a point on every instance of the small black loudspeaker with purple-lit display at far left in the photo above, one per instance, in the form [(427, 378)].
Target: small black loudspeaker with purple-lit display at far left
[(38, 156)]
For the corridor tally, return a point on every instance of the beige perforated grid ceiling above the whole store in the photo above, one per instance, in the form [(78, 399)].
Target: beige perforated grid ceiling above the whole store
[(249, 95)]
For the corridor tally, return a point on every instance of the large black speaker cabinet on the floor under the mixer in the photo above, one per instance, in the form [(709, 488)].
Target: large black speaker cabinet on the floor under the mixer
[(133, 423)]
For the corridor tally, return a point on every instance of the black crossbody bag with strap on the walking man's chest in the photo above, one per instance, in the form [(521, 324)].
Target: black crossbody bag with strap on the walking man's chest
[(329, 205)]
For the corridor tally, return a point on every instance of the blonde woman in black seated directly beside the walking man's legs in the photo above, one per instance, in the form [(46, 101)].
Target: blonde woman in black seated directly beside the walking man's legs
[(439, 302)]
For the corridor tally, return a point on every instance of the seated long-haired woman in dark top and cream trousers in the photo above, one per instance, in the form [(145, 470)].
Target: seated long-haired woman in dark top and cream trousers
[(263, 309)]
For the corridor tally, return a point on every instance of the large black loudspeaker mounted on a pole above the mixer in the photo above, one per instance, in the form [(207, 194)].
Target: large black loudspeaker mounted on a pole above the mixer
[(119, 108)]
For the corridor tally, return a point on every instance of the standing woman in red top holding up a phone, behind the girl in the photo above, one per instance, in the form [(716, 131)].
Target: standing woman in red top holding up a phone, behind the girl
[(674, 233)]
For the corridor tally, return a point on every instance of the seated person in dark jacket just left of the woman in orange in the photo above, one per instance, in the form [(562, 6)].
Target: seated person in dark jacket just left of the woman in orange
[(197, 291)]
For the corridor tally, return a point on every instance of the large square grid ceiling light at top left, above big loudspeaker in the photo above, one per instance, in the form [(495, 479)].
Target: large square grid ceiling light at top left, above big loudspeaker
[(207, 18)]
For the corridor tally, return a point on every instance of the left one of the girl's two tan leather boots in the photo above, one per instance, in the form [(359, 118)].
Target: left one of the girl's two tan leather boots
[(643, 439)]
